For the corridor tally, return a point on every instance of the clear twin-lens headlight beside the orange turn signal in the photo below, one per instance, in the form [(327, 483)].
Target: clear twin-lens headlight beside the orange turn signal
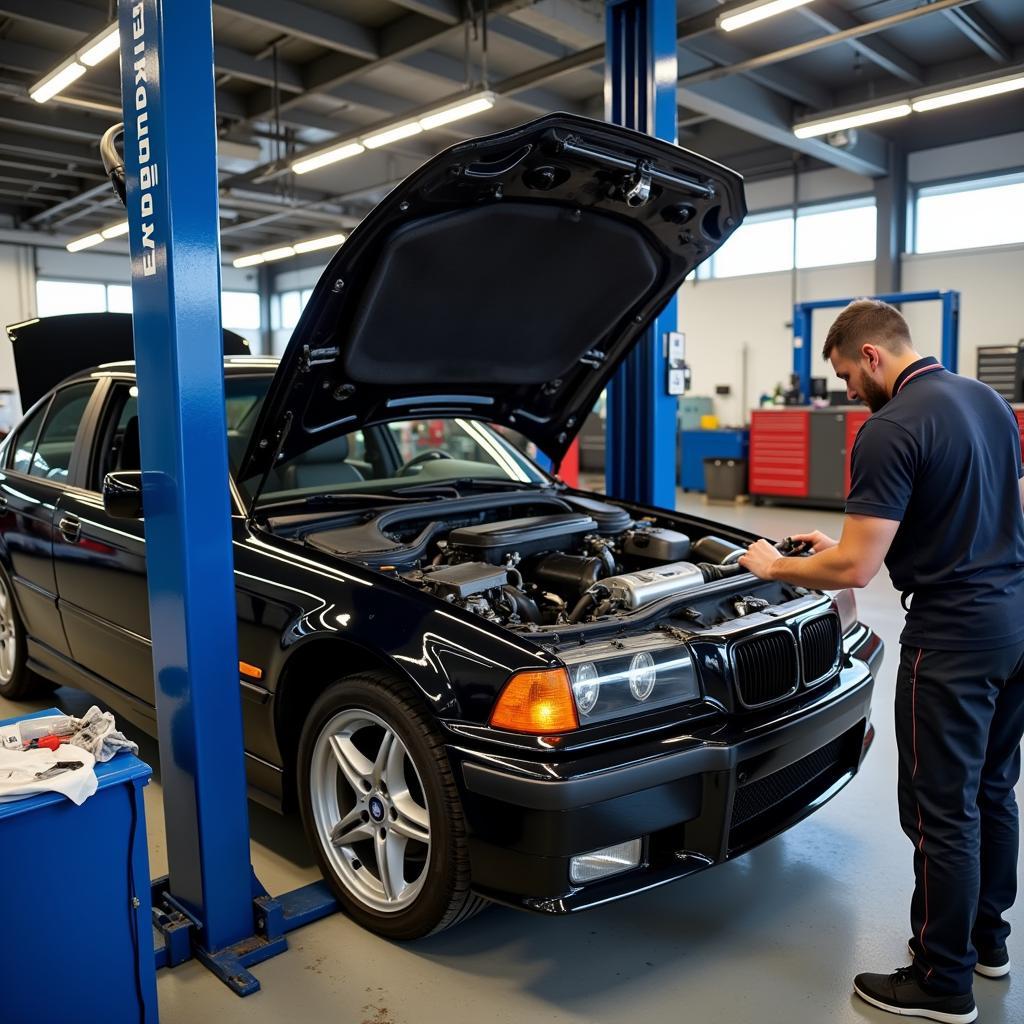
[(613, 680)]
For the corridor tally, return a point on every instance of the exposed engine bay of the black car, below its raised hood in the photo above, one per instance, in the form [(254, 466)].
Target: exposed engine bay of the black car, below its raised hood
[(536, 561)]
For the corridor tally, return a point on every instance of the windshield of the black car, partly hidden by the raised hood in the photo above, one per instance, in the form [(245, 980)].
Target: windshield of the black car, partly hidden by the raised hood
[(382, 458)]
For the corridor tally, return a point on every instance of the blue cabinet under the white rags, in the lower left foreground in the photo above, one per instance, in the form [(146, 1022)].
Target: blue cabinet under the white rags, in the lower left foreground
[(75, 899)]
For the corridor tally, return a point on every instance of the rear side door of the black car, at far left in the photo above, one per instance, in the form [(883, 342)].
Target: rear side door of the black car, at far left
[(39, 467)]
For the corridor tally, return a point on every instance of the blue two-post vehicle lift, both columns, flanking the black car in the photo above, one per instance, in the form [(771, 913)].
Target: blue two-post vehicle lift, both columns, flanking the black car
[(211, 906)]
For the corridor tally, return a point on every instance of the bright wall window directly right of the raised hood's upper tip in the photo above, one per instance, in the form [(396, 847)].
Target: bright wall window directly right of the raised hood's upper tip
[(837, 233)]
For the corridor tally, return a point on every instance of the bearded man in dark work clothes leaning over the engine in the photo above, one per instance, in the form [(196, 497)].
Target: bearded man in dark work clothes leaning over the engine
[(936, 493)]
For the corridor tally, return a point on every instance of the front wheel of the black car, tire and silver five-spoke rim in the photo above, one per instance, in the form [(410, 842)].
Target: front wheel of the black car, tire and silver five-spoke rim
[(381, 810)]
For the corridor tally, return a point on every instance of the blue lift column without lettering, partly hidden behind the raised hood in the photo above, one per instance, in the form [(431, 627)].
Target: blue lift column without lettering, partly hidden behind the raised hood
[(641, 94)]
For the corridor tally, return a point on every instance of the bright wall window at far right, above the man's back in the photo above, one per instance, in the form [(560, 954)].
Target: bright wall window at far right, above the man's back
[(970, 215)]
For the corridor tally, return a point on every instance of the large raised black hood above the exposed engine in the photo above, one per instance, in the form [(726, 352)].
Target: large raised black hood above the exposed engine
[(506, 281)]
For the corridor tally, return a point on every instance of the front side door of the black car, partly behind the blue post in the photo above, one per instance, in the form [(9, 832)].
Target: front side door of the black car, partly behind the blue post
[(100, 563)]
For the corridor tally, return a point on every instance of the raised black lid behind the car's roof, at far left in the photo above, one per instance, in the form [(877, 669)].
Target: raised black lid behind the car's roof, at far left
[(52, 349)]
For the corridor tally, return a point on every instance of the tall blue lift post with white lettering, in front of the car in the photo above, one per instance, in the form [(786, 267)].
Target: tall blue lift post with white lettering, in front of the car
[(170, 161)]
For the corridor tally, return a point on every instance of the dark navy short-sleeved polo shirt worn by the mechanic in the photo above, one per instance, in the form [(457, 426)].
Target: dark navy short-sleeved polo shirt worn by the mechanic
[(944, 459)]
